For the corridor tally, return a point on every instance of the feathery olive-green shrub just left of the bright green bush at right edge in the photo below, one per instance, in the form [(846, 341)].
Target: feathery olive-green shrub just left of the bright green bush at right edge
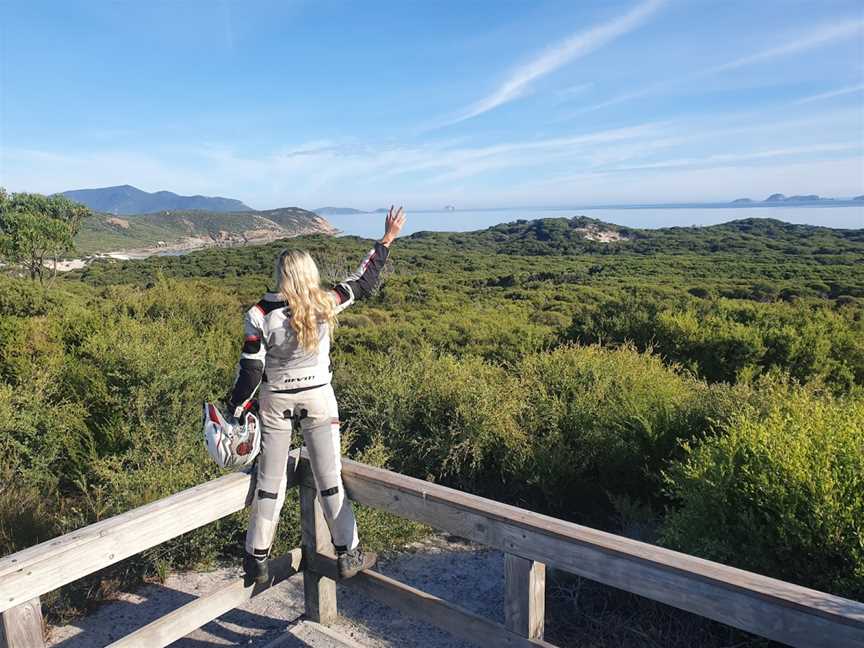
[(604, 421)]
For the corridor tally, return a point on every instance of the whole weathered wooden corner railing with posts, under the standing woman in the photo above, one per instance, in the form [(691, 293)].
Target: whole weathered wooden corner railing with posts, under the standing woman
[(531, 542)]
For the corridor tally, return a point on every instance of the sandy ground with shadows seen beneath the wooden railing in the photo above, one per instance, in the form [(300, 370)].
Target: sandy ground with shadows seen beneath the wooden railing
[(466, 574)]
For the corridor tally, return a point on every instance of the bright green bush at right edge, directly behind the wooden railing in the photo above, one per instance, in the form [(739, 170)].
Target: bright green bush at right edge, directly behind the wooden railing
[(780, 493)]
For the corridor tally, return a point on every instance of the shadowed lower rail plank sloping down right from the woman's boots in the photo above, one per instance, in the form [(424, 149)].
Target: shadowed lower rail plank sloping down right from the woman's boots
[(450, 617)]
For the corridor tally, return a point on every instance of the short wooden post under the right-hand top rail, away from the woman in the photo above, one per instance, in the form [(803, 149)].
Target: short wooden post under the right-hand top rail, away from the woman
[(524, 596)]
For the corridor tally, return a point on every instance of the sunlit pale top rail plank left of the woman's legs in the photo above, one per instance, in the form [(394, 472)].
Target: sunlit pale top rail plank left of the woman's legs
[(49, 565)]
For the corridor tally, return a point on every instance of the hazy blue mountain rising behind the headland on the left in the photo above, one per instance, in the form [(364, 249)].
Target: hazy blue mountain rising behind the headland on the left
[(127, 200)]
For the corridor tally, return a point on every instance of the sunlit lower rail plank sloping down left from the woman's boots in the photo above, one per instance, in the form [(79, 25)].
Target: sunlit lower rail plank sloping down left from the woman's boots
[(193, 615)]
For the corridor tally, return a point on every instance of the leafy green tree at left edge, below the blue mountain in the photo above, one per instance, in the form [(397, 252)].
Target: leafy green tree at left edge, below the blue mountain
[(36, 228)]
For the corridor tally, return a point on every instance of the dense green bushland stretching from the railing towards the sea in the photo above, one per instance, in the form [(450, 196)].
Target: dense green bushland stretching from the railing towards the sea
[(569, 379)]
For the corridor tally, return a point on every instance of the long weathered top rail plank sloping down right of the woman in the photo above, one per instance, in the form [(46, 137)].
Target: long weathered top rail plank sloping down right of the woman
[(765, 606)]
